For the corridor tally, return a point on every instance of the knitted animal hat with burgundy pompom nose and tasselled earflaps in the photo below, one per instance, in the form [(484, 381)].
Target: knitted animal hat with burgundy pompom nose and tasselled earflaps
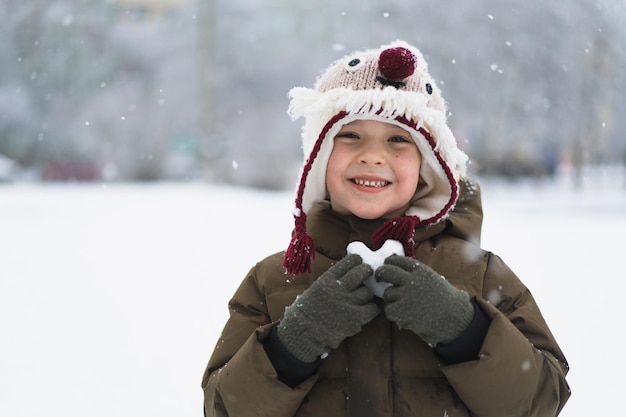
[(389, 84)]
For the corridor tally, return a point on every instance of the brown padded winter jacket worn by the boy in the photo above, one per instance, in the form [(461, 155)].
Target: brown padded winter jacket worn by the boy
[(384, 371)]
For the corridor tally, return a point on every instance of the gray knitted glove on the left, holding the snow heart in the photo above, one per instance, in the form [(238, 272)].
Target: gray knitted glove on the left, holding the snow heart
[(335, 307)]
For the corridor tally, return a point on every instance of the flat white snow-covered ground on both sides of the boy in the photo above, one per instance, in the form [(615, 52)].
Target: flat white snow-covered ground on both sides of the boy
[(111, 297)]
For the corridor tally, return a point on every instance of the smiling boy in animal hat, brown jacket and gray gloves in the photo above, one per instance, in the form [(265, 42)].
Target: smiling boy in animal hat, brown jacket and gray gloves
[(451, 332)]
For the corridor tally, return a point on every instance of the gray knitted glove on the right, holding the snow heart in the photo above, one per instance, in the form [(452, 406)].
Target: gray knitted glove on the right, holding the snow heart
[(423, 301)]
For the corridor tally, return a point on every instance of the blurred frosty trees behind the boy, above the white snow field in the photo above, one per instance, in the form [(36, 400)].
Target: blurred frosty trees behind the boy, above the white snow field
[(182, 90)]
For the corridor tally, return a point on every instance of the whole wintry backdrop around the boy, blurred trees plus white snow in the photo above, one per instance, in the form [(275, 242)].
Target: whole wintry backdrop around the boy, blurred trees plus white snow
[(113, 293)]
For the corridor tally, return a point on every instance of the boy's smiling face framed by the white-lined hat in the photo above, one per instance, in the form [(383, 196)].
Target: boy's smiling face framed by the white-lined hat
[(373, 170)]
